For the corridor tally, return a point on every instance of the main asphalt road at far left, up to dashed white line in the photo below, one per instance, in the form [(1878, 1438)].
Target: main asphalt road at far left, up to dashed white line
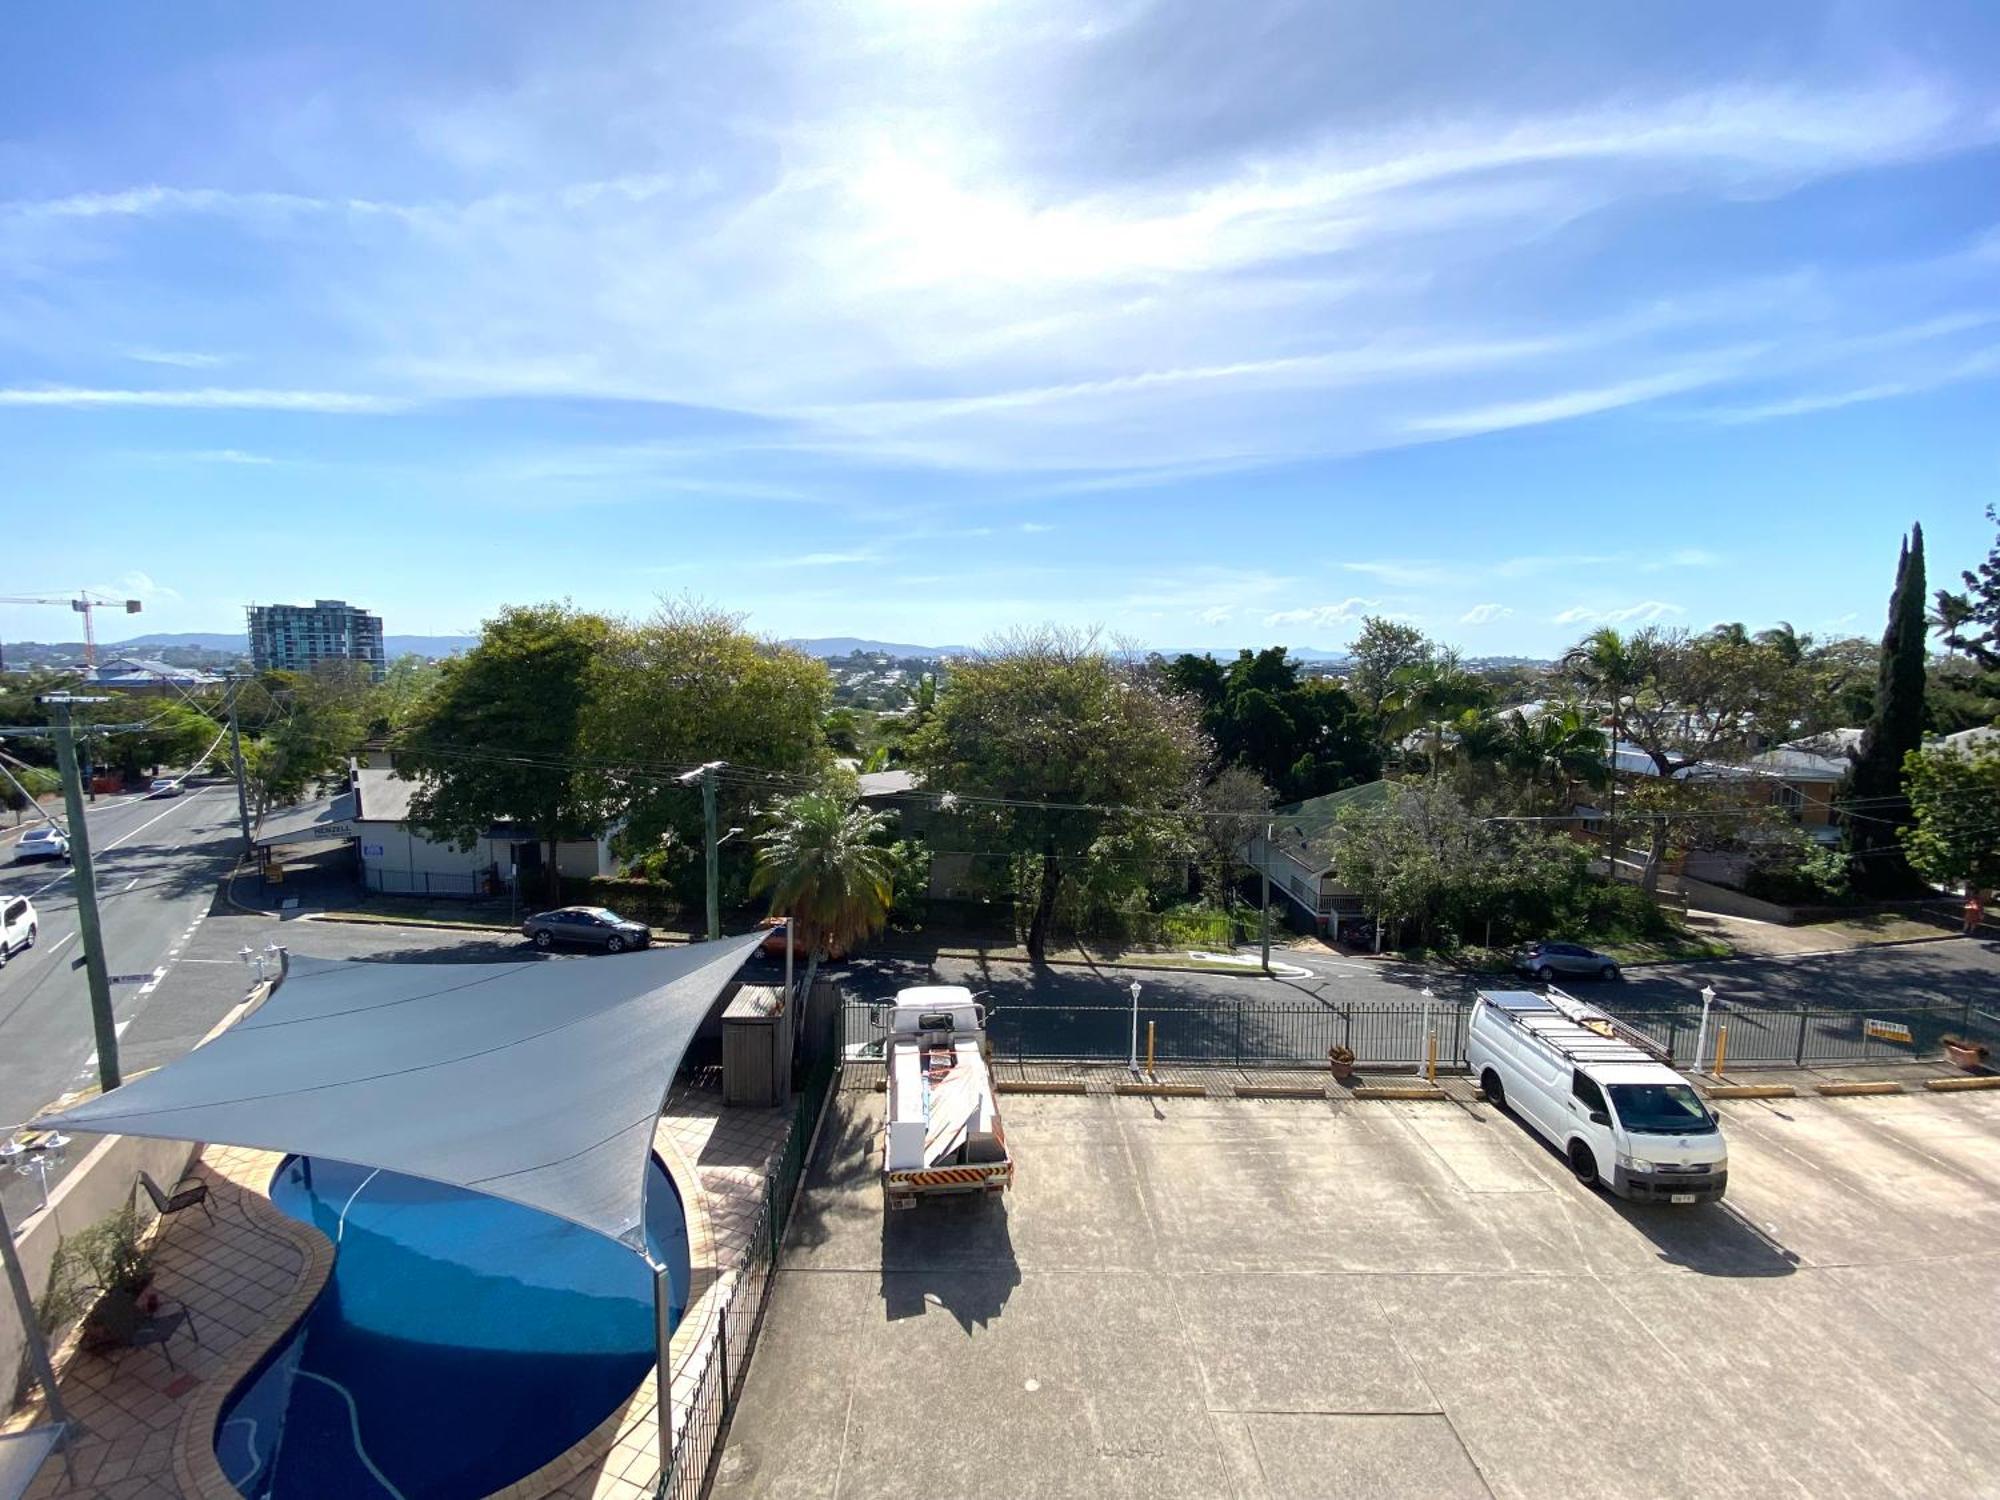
[(159, 865)]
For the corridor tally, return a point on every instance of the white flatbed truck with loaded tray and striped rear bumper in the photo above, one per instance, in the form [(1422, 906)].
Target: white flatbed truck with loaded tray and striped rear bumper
[(943, 1131)]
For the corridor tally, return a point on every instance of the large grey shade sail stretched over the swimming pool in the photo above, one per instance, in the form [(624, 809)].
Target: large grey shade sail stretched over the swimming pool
[(537, 1083)]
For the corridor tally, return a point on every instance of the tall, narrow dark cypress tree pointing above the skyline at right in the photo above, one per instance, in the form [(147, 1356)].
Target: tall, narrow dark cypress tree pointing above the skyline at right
[(1877, 807)]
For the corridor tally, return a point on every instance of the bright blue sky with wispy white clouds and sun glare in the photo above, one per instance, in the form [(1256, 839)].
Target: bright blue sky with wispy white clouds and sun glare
[(1211, 325)]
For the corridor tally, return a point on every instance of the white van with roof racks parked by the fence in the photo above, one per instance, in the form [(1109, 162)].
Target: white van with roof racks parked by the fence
[(1601, 1093)]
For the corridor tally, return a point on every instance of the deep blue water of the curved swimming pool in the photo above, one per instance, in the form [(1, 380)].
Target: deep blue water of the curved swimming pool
[(459, 1345)]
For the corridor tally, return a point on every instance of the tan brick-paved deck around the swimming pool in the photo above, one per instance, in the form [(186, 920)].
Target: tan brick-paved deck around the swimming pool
[(249, 1273)]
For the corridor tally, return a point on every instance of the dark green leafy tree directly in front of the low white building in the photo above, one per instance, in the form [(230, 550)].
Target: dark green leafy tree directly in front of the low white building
[(501, 737)]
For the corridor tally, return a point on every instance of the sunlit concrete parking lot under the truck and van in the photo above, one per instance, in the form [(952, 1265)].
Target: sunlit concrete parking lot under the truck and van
[(1279, 1301)]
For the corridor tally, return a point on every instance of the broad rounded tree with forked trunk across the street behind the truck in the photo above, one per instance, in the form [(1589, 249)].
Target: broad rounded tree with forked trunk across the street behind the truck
[(1079, 745)]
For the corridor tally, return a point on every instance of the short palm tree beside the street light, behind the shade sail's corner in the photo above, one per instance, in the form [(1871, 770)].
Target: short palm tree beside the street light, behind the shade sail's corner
[(823, 867)]
